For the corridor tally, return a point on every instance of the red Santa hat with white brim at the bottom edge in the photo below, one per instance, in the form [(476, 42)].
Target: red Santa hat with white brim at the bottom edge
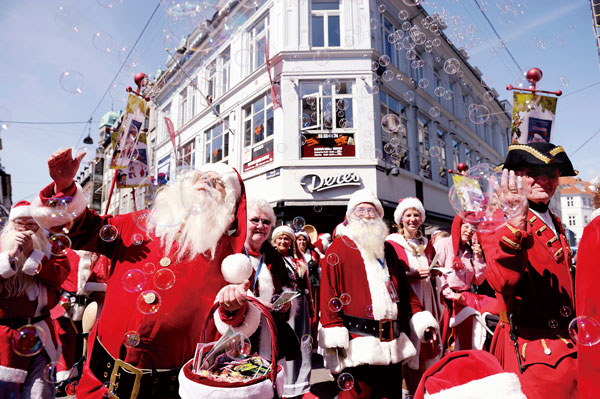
[(471, 374)]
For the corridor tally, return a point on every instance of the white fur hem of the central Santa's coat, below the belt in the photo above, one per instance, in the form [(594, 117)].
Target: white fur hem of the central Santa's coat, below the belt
[(369, 350)]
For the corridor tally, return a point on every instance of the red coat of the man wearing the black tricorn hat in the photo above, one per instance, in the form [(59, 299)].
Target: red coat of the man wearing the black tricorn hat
[(530, 271)]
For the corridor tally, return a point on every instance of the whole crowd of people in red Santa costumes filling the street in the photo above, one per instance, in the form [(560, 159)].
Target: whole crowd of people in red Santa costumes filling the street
[(113, 306)]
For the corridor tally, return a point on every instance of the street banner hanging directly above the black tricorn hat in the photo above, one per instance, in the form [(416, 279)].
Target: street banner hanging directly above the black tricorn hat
[(533, 118)]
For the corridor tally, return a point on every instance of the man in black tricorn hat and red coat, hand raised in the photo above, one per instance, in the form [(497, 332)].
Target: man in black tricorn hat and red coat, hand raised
[(529, 267)]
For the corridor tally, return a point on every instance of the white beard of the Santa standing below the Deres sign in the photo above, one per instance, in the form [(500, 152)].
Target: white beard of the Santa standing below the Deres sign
[(369, 235)]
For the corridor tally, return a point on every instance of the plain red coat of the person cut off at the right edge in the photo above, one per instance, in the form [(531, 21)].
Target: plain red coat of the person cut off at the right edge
[(588, 304)]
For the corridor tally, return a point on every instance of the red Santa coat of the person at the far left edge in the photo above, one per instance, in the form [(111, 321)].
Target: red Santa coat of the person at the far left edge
[(36, 301)]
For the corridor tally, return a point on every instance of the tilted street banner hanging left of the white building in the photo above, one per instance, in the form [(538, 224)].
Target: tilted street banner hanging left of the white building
[(124, 141)]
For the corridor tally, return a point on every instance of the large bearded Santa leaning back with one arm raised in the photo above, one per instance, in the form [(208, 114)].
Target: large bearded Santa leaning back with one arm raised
[(164, 278)]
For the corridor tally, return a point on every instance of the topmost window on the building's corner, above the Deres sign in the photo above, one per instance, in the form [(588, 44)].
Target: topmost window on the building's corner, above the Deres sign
[(325, 23)]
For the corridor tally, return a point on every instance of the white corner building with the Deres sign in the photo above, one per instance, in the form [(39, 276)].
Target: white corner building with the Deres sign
[(360, 106)]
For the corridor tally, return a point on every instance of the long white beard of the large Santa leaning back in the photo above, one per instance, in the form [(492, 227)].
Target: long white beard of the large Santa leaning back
[(199, 217)]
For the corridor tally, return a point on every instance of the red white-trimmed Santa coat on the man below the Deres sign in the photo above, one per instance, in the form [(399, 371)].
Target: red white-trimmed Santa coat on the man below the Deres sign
[(364, 279)]
